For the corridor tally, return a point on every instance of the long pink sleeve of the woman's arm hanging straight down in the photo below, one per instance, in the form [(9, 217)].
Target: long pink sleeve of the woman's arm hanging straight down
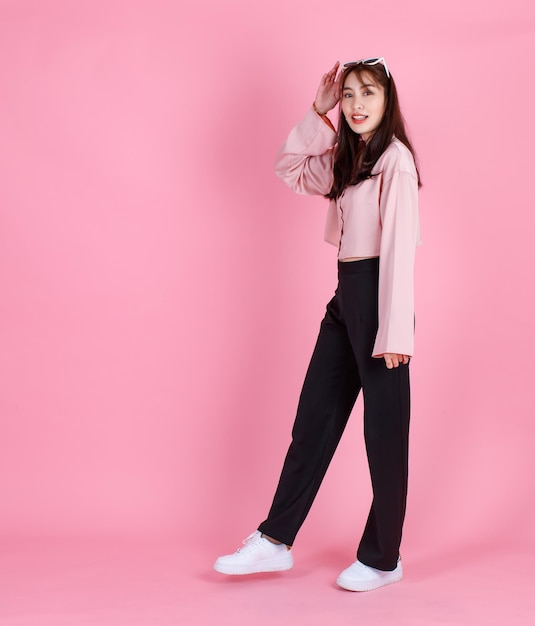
[(399, 238)]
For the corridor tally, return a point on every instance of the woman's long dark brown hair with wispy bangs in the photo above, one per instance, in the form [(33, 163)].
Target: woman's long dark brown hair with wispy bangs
[(354, 159)]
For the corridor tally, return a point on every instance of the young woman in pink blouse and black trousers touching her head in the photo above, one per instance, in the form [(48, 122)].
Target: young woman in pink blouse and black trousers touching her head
[(367, 171)]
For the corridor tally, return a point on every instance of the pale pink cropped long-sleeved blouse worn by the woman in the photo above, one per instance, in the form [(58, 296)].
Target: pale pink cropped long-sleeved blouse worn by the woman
[(377, 217)]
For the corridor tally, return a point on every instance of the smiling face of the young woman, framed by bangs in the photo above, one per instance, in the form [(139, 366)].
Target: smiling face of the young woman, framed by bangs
[(363, 104)]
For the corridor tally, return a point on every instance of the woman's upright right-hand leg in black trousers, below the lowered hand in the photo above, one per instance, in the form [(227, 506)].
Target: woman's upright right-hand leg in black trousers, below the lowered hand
[(386, 395)]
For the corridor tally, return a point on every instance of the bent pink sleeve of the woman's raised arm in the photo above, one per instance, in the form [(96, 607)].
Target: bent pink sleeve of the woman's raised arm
[(304, 162)]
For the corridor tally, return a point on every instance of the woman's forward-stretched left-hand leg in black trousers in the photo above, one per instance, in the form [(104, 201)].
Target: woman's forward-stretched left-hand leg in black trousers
[(329, 392)]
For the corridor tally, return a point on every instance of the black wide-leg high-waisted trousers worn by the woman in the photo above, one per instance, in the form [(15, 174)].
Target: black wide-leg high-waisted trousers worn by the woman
[(340, 367)]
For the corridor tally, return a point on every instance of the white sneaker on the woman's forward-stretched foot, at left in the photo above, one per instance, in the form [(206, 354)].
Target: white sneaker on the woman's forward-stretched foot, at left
[(258, 555)]
